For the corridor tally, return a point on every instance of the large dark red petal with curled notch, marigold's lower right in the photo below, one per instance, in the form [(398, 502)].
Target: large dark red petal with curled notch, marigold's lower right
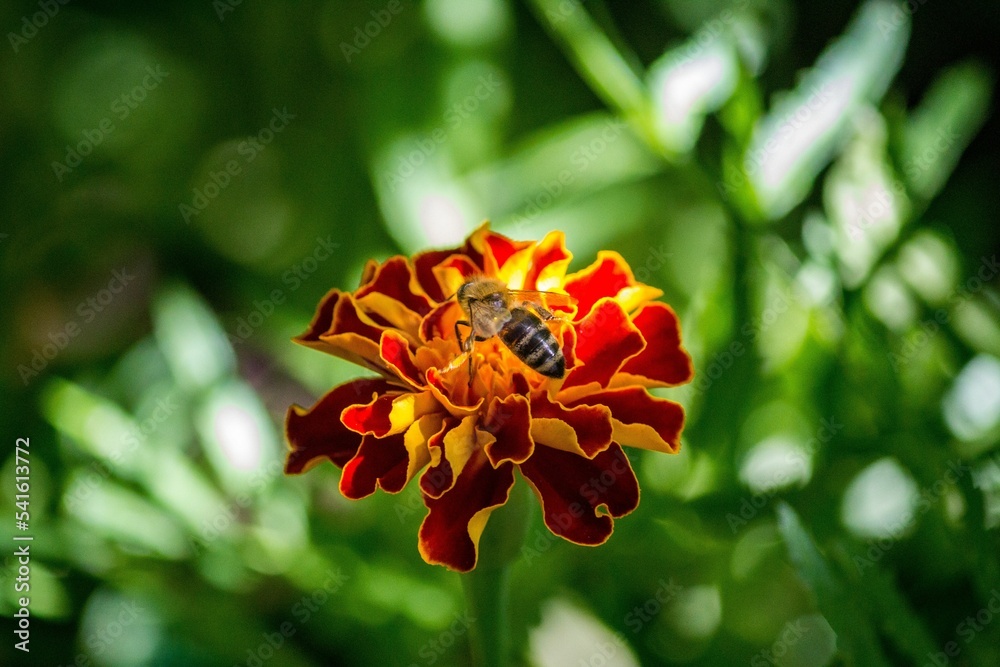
[(573, 489)]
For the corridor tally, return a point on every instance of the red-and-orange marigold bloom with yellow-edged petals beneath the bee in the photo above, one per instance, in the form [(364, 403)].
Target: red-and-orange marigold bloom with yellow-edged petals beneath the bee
[(424, 413)]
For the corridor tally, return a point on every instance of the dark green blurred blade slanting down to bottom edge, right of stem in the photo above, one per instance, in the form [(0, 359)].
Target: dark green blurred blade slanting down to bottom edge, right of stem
[(855, 636)]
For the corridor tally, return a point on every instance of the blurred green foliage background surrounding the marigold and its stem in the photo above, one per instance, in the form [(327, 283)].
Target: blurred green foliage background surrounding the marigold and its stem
[(813, 187)]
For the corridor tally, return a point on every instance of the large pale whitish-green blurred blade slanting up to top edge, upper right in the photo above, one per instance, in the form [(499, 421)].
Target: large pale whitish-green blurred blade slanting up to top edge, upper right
[(808, 126)]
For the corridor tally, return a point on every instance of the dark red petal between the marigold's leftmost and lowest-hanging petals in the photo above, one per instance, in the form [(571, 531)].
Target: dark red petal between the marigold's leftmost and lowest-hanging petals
[(389, 463)]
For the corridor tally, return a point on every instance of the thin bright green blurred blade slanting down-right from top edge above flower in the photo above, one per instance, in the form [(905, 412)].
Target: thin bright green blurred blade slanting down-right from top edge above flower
[(599, 62)]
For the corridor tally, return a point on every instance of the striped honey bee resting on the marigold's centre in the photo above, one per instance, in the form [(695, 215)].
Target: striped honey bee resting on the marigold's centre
[(517, 317)]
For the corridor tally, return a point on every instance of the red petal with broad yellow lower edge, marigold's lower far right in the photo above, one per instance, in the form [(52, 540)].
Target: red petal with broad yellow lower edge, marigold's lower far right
[(640, 419)]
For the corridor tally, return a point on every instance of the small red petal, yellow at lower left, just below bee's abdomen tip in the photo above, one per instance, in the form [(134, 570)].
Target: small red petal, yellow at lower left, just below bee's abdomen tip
[(583, 430)]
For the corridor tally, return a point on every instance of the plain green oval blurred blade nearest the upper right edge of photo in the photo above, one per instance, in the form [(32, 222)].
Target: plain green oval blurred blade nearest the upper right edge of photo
[(940, 129)]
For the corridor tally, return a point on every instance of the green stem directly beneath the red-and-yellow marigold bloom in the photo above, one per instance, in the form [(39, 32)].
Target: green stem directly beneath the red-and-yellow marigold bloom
[(487, 588)]
